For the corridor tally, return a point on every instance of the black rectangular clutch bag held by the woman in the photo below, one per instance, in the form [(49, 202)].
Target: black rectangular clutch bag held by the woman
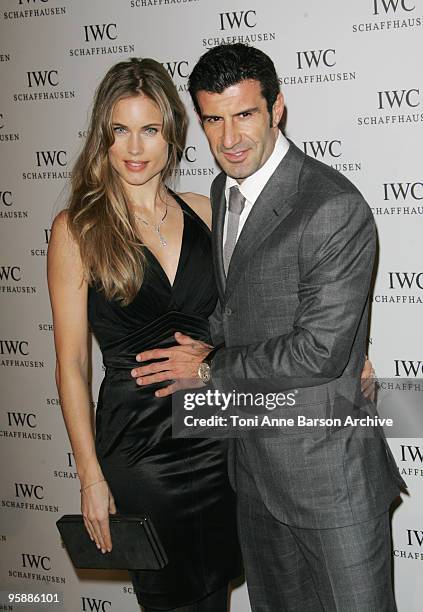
[(135, 544)]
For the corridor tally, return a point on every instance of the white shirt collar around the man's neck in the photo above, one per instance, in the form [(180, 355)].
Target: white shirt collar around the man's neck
[(253, 185)]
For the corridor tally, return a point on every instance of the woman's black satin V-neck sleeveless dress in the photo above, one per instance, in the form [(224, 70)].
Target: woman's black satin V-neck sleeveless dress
[(181, 483)]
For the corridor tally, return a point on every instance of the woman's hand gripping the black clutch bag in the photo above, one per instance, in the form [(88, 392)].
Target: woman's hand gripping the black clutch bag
[(96, 504)]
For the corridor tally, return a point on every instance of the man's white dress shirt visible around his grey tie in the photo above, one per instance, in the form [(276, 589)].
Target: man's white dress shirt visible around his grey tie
[(252, 186)]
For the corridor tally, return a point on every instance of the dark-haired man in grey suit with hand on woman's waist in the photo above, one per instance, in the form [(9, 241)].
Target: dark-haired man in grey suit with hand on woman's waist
[(294, 246)]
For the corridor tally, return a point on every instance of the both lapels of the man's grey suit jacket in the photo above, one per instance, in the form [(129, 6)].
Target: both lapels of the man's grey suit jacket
[(272, 206)]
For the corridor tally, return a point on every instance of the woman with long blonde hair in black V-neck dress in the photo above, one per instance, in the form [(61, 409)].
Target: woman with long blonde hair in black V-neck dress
[(132, 260)]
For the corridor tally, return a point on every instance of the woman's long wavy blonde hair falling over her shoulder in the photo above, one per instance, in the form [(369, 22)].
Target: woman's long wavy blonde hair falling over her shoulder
[(99, 215)]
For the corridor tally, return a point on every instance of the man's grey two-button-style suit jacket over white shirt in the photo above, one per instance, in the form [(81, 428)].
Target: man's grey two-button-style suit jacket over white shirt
[(294, 307)]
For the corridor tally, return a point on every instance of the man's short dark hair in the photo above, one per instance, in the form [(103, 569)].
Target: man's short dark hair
[(228, 65)]
